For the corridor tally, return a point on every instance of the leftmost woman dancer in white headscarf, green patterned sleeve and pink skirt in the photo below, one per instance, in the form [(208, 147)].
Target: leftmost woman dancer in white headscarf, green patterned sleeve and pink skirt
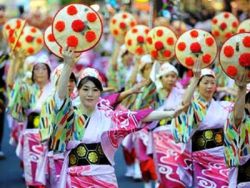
[(25, 104)]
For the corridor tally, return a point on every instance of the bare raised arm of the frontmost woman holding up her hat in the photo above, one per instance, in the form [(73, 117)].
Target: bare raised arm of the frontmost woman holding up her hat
[(69, 62)]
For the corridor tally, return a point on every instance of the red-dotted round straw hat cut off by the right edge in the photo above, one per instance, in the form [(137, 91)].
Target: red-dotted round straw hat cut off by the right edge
[(235, 55)]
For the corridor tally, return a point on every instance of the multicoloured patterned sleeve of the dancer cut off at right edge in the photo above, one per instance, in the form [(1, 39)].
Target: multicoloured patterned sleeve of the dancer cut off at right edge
[(236, 140)]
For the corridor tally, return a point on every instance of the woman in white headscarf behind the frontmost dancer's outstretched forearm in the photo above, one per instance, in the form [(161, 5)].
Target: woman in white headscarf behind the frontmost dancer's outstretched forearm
[(166, 152)]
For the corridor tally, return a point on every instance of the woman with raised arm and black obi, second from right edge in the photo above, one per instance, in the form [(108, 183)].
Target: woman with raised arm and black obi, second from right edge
[(201, 129)]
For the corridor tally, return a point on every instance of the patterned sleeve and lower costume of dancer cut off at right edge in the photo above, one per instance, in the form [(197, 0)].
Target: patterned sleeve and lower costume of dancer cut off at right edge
[(237, 151)]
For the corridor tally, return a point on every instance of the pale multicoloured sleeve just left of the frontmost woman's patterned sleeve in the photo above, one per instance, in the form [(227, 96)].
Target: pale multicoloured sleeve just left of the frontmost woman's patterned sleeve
[(46, 118)]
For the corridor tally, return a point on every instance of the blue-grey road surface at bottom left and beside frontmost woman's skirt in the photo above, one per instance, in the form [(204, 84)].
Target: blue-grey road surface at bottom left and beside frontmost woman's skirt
[(11, 174)]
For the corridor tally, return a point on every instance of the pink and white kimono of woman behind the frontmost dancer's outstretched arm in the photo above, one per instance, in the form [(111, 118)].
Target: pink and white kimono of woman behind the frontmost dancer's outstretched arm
[(165, 150)]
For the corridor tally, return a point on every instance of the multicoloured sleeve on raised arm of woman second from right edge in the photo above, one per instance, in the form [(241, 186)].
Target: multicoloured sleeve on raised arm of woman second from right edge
[(184, 125)]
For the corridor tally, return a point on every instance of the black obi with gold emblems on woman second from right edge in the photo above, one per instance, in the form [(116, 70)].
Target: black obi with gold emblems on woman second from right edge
[(207, 139)]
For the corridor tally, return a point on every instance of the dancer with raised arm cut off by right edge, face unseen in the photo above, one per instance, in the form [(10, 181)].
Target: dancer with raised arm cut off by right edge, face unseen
[(237, 139)]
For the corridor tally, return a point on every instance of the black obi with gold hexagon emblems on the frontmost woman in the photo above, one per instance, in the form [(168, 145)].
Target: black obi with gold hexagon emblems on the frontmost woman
[(87, 154)]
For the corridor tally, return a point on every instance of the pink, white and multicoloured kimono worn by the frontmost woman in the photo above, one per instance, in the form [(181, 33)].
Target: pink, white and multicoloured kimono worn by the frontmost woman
[(105, 126)]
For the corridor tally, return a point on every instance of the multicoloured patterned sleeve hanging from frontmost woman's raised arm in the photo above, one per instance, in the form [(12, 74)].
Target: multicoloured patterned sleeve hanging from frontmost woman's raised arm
[(62, 122)]
